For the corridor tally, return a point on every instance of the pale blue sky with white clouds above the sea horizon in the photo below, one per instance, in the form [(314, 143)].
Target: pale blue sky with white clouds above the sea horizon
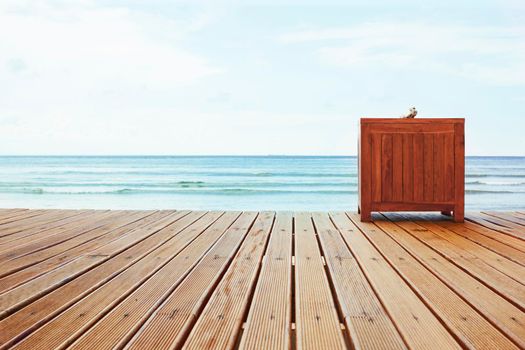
[(254, 77)]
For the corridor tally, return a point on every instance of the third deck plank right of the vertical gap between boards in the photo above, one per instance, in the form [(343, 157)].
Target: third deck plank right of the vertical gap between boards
[(416, 323)]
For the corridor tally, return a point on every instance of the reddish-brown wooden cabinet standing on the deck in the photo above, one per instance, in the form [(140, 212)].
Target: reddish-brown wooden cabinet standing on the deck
[(412, 165)]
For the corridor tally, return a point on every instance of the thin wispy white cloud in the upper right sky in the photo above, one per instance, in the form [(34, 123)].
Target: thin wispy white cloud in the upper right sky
[(489, 54)]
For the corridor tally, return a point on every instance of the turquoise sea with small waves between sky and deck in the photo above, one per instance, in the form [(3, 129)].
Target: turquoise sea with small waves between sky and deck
[(244, 183)]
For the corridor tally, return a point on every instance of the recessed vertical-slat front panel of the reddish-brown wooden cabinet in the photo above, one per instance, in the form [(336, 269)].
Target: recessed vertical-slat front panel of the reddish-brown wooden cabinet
[(412, 167)]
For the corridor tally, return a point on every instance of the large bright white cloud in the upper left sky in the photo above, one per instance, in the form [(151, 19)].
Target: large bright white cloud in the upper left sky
[(73, 49)]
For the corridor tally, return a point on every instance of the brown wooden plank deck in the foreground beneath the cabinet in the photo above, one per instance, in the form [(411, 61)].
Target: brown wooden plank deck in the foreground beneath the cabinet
[(218, 280)]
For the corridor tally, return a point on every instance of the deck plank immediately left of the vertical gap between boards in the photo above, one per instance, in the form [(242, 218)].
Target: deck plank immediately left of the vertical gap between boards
[(268, 325)]
